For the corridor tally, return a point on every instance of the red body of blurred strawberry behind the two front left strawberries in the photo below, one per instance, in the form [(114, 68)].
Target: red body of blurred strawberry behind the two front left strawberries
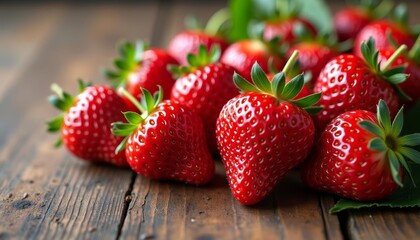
[(150, 73)]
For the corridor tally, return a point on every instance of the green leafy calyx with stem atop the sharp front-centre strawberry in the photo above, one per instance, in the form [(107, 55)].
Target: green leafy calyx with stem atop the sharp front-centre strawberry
[(278, 87)]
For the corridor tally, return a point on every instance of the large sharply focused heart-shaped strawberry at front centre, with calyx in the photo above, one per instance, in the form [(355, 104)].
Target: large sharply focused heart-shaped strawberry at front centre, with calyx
[(262, 134)]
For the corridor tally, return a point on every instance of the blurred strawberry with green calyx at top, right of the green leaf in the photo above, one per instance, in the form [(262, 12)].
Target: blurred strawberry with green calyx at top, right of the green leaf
[(282, 24)]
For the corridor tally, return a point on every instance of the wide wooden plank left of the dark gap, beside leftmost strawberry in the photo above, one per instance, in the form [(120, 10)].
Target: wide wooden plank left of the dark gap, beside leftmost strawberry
[(46, 193)]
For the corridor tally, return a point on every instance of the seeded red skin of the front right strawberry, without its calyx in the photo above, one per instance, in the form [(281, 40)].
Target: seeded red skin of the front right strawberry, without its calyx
[(344, 165)]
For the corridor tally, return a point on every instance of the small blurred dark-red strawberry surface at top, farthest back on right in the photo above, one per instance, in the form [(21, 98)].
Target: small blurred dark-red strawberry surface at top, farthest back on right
[(349, 21)]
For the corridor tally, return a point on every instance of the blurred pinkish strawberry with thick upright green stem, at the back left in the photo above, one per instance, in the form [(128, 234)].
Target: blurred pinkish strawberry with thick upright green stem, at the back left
[(190, 40)]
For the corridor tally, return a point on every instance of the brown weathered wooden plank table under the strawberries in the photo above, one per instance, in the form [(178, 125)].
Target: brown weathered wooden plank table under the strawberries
[(48, 194)]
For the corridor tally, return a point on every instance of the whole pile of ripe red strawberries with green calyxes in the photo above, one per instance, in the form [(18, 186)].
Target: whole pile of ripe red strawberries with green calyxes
[(264, 105)]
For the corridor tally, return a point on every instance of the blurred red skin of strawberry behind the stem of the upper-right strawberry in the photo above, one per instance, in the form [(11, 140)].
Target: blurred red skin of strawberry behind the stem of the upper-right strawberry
[(378, 30)]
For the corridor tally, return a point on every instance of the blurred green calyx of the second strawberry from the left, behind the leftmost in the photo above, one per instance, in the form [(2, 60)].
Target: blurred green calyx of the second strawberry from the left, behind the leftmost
[(129, 60)]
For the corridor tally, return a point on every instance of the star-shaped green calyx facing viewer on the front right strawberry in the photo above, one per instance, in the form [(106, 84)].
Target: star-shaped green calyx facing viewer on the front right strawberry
[(397, 149)]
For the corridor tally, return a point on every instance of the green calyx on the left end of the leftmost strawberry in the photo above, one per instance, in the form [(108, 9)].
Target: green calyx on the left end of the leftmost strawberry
[(62, 101)]
